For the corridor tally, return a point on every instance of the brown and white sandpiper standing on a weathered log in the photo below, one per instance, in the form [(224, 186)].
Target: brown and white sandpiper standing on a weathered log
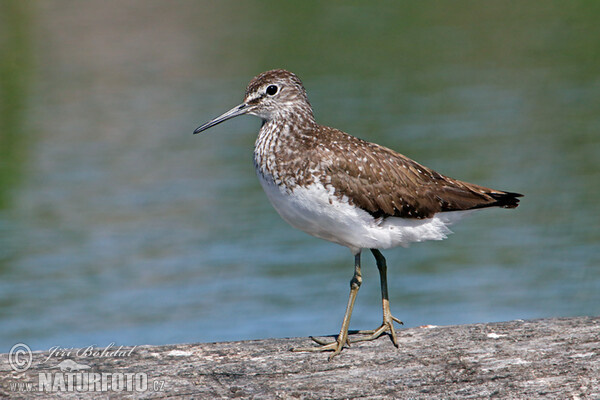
[(349, 191)]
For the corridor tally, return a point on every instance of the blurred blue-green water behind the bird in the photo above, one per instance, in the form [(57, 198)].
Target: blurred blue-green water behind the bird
[(118, 225)]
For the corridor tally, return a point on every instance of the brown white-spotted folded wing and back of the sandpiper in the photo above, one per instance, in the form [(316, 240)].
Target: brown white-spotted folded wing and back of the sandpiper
[(385, 183)]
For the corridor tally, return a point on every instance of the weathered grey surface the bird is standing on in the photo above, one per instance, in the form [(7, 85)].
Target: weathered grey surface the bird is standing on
[(549, 358)]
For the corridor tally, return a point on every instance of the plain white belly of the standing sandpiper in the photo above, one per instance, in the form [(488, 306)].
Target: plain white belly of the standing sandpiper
[(316, 211)]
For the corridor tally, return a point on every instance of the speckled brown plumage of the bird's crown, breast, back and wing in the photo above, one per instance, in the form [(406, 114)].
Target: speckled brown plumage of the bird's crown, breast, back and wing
[(297, 151)]
